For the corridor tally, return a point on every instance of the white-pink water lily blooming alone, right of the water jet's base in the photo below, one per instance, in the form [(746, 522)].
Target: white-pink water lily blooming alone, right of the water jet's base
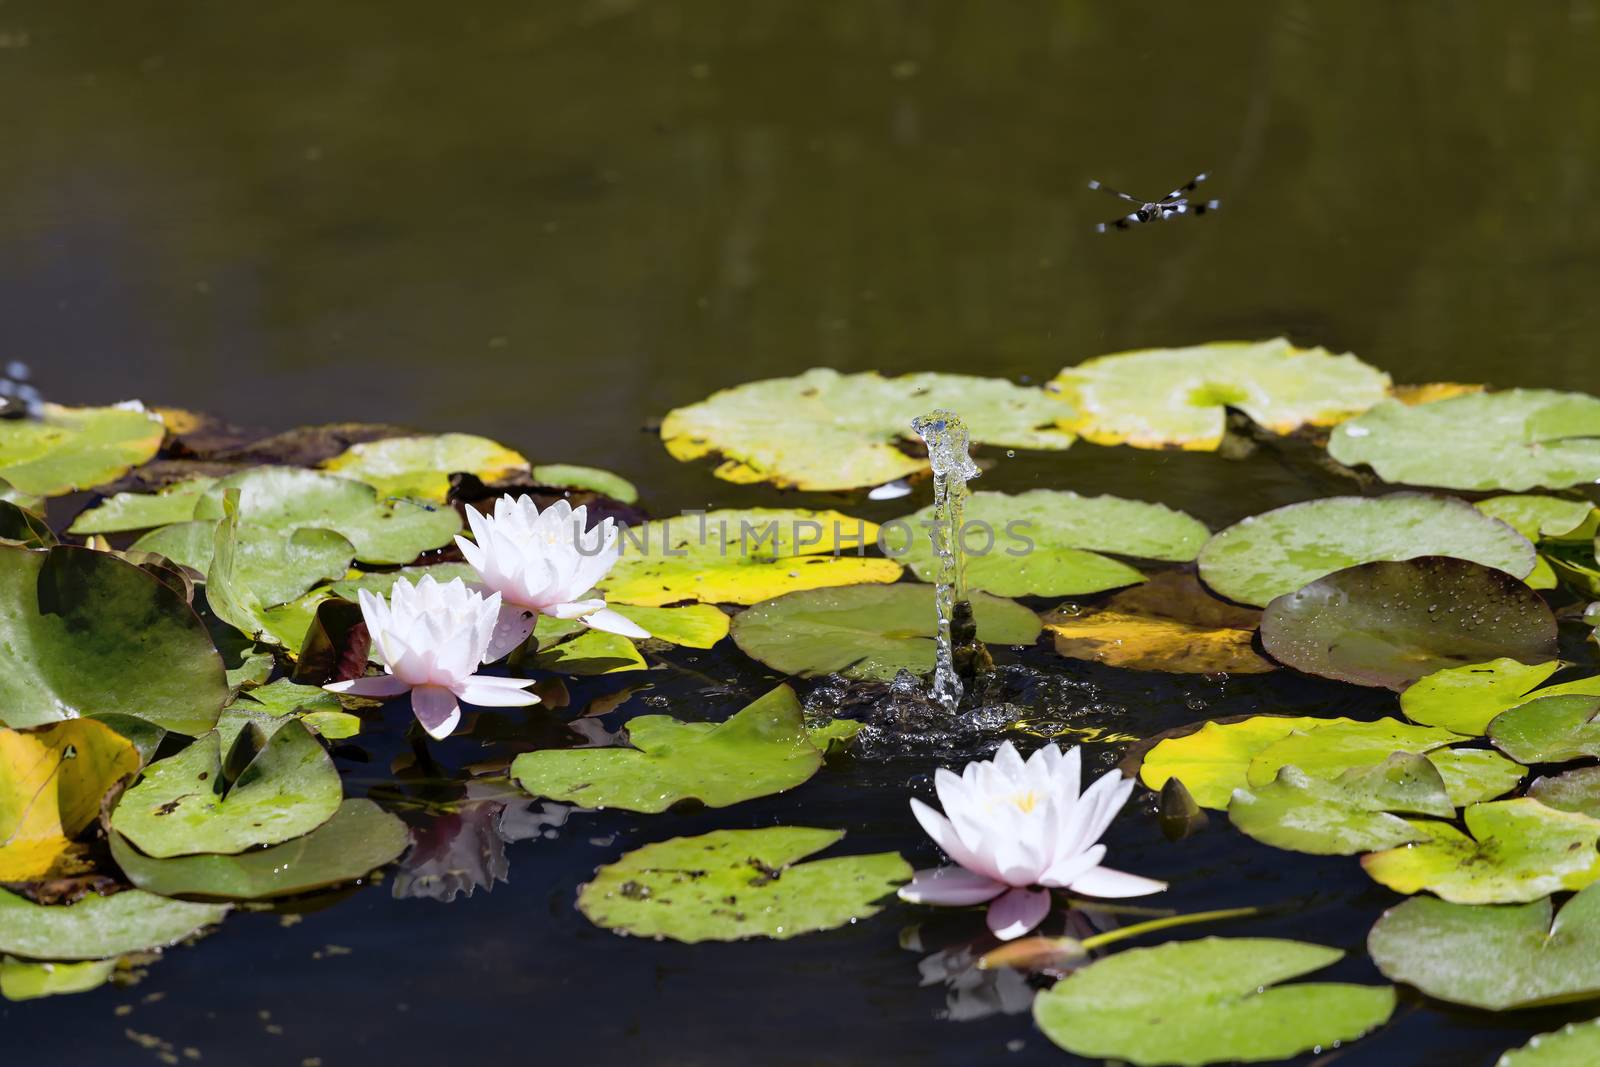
[(1017, 831)]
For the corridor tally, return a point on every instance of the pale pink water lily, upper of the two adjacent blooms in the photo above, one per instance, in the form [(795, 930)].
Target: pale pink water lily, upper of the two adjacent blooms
[(543, 564)]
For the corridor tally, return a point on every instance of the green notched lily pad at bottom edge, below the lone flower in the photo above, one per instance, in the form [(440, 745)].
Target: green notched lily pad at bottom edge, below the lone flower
[(1209, 1002)]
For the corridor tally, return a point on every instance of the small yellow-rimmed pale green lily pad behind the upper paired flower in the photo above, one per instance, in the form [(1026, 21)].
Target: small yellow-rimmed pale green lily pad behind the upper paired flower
[(420, 468)]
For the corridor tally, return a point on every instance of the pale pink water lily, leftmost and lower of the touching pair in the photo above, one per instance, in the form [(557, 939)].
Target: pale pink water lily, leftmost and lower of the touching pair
[(431, 641)]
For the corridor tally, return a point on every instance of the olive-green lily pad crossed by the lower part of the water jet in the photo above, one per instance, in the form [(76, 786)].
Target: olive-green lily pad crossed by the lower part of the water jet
[(866, 631)]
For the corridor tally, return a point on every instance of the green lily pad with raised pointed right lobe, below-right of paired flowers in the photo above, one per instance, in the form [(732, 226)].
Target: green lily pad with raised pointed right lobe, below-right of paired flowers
[(761, 751)]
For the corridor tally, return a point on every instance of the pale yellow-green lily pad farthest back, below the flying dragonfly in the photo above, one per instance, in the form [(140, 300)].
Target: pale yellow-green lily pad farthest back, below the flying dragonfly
[(1180, 398)]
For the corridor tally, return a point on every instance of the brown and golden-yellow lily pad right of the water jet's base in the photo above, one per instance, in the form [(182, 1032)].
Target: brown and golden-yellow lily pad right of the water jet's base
[(1170, 623)]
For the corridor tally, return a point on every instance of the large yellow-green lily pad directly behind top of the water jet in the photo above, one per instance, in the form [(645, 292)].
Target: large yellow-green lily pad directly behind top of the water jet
[(830, 431)]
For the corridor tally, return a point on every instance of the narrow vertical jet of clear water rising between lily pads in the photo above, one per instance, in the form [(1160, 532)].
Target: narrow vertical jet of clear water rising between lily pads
[(945, 434)]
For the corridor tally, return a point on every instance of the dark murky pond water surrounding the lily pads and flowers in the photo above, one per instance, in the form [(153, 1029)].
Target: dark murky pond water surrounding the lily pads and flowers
[(551, 223)]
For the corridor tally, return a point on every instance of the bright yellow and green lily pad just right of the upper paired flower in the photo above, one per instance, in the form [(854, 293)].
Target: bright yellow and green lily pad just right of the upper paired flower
[(743, 557)]
